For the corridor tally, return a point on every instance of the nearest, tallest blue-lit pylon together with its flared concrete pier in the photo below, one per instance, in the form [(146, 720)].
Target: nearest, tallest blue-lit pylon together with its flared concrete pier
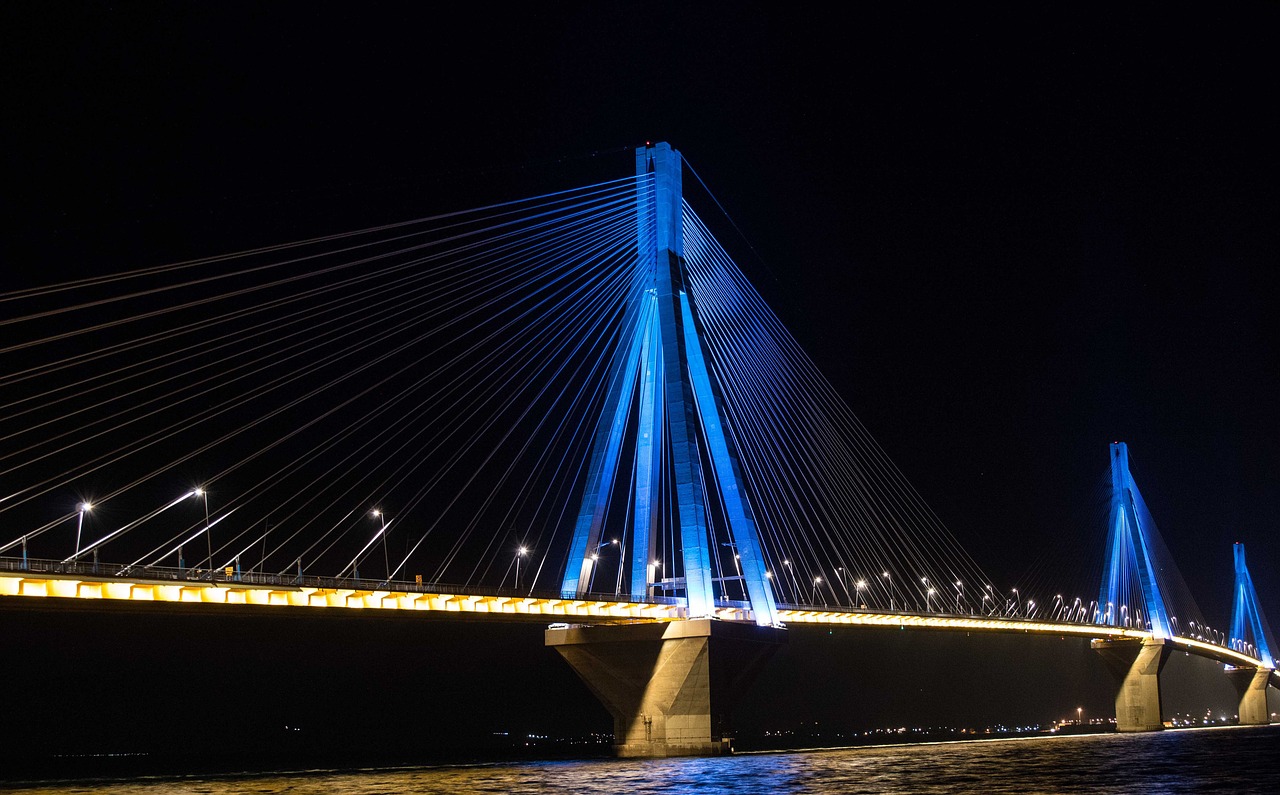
[(670, 687)]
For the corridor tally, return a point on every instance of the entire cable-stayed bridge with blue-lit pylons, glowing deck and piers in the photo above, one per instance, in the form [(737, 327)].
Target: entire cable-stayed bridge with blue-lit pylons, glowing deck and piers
[(570, 409)]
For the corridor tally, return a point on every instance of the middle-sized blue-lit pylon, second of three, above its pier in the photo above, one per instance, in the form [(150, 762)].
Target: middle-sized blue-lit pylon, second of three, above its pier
[(1130, 552)]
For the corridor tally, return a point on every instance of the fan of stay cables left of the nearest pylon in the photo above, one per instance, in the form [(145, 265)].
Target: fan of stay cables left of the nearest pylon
[(436, 372)]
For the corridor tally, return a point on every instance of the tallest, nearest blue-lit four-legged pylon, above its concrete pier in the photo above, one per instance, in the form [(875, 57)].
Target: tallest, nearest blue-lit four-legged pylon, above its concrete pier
[(679, 401)]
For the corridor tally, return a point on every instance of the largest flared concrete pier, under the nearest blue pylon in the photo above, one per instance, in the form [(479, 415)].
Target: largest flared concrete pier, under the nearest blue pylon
[(670, 687)]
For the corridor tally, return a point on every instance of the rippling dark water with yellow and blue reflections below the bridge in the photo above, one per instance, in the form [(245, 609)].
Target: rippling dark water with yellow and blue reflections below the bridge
[(1240, 761)]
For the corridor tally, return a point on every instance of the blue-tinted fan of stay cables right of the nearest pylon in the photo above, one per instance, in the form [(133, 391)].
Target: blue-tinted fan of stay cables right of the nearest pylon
[(840, 522)]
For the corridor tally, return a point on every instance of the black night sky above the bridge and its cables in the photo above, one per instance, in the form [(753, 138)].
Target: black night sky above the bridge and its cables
[(1009, 237)]
